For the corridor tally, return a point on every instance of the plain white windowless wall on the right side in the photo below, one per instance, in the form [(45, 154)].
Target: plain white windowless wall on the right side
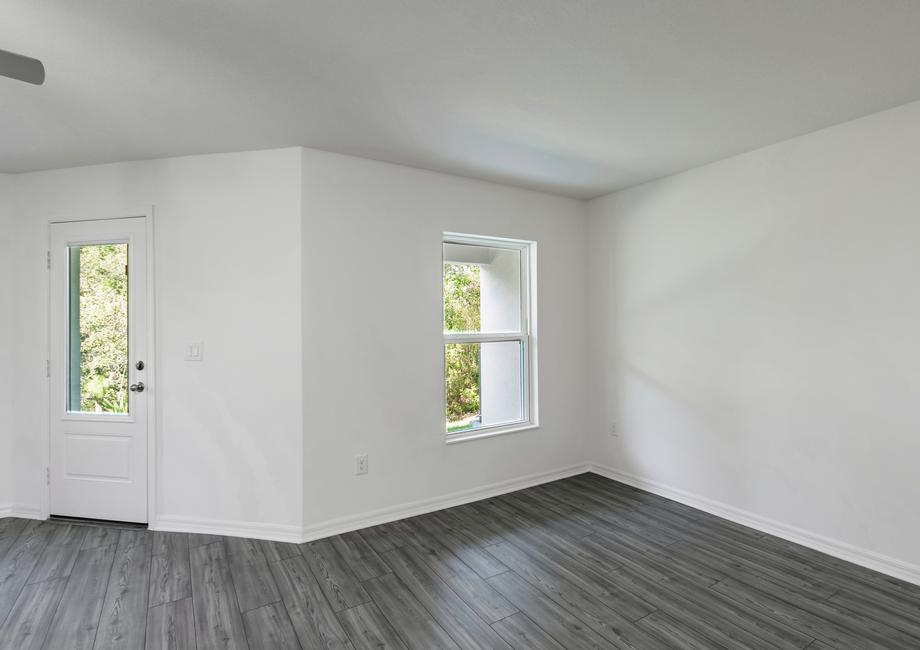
[(754, 332)]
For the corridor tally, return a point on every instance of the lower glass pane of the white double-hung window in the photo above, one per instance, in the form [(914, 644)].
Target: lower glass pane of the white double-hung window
[(483, 384)]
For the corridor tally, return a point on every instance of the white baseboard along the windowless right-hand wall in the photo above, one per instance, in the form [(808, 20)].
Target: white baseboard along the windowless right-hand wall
[(863, 557)]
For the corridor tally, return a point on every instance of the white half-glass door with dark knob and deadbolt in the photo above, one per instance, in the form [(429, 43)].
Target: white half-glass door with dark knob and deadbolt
[(99, 360)]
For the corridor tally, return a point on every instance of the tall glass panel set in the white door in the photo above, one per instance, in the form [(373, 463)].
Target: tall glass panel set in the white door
[(97, 368)]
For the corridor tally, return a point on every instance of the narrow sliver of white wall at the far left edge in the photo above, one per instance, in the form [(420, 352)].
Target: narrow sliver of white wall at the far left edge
[(6, 323)]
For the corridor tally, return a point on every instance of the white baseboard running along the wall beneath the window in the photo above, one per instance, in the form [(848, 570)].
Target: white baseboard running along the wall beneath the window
[(414, 508)]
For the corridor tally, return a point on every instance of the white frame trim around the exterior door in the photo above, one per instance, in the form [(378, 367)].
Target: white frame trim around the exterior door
[(151, 369)]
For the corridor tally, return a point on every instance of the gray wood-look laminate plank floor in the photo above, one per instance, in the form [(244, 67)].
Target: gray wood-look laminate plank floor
[(580, 563)]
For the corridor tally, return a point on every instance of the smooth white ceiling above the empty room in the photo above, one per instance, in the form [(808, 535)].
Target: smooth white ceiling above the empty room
[(570, 96)]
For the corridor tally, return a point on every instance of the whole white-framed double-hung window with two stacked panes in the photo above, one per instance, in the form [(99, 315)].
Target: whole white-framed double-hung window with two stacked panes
[(488, 335)]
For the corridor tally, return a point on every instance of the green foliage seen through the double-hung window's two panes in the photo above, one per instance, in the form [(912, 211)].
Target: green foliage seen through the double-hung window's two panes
[(461, 360)]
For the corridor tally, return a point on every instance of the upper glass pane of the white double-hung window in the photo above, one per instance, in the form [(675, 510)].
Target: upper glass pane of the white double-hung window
[(482, 289)]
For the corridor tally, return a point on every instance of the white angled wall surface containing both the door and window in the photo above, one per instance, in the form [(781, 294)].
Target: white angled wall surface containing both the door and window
[(261, 436)]
